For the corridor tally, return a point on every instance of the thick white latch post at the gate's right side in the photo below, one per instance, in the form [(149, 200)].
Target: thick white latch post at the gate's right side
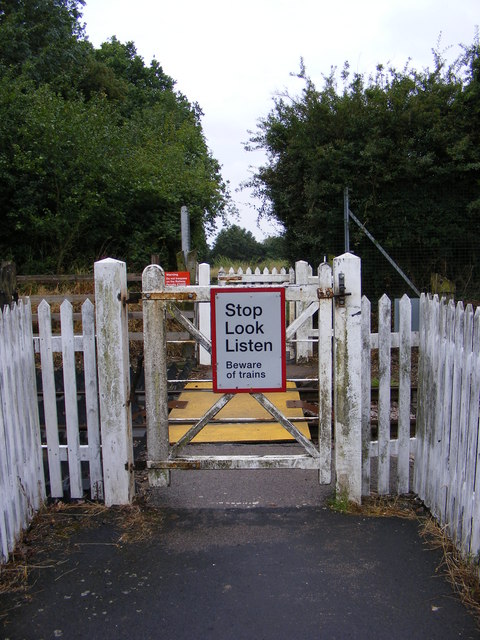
[(347, 384)]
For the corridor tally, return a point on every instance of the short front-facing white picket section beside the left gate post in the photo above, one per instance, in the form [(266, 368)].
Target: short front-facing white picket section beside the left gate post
[(65, 458)]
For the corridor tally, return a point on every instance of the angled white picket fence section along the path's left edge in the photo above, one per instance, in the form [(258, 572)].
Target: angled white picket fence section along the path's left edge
[(22, 485)]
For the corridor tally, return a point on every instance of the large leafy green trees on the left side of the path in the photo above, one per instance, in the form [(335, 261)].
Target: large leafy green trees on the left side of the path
[(97, 151)]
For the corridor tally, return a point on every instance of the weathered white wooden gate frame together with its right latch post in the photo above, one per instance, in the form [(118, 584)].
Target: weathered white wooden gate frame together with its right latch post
[(339, 342)]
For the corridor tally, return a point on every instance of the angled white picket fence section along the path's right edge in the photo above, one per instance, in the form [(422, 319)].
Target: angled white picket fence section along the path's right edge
[(447, 464)]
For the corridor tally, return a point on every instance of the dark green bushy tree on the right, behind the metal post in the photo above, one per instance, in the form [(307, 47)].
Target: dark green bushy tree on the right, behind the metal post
[(405, 143)]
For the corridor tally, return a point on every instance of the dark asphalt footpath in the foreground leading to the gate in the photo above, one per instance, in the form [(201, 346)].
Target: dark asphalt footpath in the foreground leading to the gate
[(239, 555)]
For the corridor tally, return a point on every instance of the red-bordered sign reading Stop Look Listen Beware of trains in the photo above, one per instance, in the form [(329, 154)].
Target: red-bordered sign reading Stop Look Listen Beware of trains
[(248, 339)]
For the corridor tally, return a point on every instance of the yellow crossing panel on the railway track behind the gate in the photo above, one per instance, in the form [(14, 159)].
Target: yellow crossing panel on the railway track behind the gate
[(242, 405)]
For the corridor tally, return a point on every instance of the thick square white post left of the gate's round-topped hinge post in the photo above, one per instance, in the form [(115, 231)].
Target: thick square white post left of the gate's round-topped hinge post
[(114, 380)]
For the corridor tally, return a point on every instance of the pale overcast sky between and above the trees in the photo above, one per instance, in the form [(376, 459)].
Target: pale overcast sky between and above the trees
[(232, 57)]
